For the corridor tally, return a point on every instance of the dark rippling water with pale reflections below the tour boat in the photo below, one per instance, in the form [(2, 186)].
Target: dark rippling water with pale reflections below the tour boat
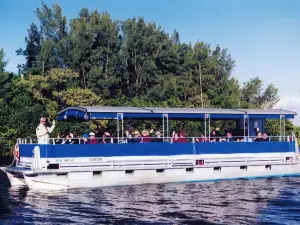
[(261, 201)]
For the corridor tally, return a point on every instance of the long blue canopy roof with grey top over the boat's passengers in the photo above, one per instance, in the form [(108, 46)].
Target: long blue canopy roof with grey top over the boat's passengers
[(106, 112)]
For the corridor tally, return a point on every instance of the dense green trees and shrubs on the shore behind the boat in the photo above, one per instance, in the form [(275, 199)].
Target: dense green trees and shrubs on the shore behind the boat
[(94, 60)]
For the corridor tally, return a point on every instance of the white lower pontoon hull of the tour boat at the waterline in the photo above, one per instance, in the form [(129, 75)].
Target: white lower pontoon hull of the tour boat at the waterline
[(151, 176)]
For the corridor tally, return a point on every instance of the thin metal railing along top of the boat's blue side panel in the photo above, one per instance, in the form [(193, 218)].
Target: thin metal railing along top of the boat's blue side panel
[(110, 140)]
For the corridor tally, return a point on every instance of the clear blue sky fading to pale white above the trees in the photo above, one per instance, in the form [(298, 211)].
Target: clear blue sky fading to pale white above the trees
[(261, 35)]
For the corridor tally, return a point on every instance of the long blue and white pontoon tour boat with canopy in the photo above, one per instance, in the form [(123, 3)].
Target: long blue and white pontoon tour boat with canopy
[(60, 166)]
